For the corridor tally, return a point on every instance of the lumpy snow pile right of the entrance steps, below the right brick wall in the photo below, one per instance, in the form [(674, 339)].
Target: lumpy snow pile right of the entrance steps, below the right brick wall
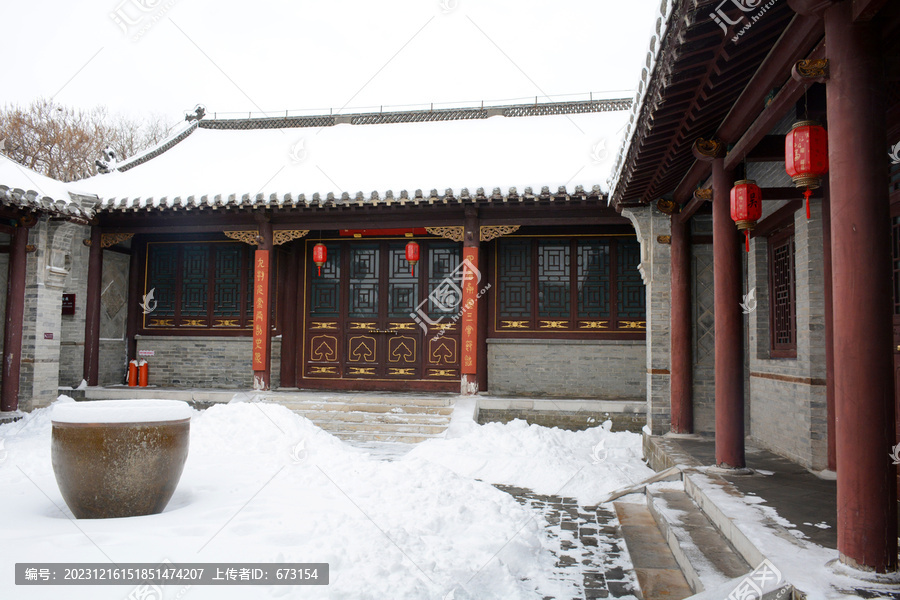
[(586, 465)]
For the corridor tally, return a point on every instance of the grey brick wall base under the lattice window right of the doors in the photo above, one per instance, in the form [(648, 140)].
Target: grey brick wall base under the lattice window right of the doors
[(605, 369)]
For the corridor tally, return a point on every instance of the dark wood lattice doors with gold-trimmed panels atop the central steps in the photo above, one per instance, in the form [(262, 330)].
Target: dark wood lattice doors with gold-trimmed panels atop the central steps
[(359, 321)]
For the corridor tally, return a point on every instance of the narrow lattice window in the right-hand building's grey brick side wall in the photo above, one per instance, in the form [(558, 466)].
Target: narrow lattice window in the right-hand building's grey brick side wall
[(782, 308)]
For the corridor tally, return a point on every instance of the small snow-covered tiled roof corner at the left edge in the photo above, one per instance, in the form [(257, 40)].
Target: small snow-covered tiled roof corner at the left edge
[(23, 188)]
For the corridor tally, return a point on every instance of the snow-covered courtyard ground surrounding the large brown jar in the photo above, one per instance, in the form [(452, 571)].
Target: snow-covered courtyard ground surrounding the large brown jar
[(262, 484)]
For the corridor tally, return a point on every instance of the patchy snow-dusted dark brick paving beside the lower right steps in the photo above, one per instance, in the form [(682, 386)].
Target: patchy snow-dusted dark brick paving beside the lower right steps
[(592, 561)]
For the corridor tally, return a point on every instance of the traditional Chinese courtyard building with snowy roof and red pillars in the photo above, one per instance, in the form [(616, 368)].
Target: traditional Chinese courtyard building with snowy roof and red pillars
[(205, 251)]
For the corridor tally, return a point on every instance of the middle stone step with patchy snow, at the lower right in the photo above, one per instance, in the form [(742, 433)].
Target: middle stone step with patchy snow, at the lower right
[(705, 556)]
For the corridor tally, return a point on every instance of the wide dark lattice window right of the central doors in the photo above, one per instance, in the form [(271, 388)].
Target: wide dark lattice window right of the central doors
[(536, 279)]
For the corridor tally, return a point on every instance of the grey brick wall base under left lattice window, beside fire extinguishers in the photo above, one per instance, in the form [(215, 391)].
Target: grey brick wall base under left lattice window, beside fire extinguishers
[(205, 361)]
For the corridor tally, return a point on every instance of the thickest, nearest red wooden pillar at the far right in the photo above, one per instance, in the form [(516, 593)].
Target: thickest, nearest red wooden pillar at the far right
[(861, 279)]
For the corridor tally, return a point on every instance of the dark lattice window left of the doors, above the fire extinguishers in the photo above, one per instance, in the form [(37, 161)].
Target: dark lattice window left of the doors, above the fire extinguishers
[(199, 285)]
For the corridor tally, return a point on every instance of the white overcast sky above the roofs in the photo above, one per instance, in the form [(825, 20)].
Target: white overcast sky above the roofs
[(276, 55)]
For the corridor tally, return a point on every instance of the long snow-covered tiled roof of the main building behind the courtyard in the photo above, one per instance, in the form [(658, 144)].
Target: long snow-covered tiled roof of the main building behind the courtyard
[(528, 154)]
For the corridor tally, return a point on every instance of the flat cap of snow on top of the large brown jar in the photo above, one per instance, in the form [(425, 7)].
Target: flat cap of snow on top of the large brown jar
[(121, 411)]
